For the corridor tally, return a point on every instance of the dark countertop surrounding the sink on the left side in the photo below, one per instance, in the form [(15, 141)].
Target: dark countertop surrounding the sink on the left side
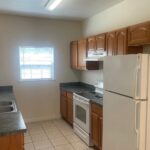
[(10, 122)]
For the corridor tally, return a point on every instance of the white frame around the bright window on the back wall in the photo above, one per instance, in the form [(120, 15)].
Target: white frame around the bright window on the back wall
[(40, 79)]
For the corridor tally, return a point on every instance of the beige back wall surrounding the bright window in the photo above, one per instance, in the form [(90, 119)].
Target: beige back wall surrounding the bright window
[(37, 100)]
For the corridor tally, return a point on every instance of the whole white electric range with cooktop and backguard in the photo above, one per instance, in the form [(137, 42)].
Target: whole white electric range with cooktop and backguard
[(82, 112)]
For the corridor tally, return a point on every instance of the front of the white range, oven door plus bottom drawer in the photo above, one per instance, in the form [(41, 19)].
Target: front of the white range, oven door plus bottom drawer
[(81, 112)]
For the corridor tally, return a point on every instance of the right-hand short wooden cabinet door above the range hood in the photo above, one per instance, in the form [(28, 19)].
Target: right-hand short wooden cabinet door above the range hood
[(101, 42)]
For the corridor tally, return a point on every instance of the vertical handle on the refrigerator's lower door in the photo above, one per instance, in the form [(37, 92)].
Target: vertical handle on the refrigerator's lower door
[(137, 104)]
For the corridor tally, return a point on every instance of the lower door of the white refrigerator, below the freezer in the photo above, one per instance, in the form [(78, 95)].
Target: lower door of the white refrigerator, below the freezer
[(124, 123)]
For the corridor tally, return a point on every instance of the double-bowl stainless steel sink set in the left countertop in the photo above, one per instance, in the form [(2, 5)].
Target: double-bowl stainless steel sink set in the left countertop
[(7, 107)]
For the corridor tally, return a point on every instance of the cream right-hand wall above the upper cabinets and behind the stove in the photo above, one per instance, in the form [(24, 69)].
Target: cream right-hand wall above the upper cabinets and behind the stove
[(126, 13)]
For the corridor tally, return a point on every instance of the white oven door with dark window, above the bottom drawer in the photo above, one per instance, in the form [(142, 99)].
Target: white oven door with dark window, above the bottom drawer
[(81, 114)]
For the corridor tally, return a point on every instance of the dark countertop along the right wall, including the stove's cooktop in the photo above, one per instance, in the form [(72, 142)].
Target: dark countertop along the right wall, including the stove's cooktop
[(84, 90)]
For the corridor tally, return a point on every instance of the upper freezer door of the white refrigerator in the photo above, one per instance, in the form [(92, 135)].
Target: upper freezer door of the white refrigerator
[(127, 75)]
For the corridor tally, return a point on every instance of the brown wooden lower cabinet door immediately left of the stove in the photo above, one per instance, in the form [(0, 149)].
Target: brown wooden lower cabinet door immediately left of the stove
[(70, 107)]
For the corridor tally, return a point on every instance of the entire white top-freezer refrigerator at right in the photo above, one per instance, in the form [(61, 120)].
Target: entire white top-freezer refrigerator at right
[(126, 102)]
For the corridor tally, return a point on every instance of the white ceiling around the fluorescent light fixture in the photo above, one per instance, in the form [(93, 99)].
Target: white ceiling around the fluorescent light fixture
[(68, 9)]
